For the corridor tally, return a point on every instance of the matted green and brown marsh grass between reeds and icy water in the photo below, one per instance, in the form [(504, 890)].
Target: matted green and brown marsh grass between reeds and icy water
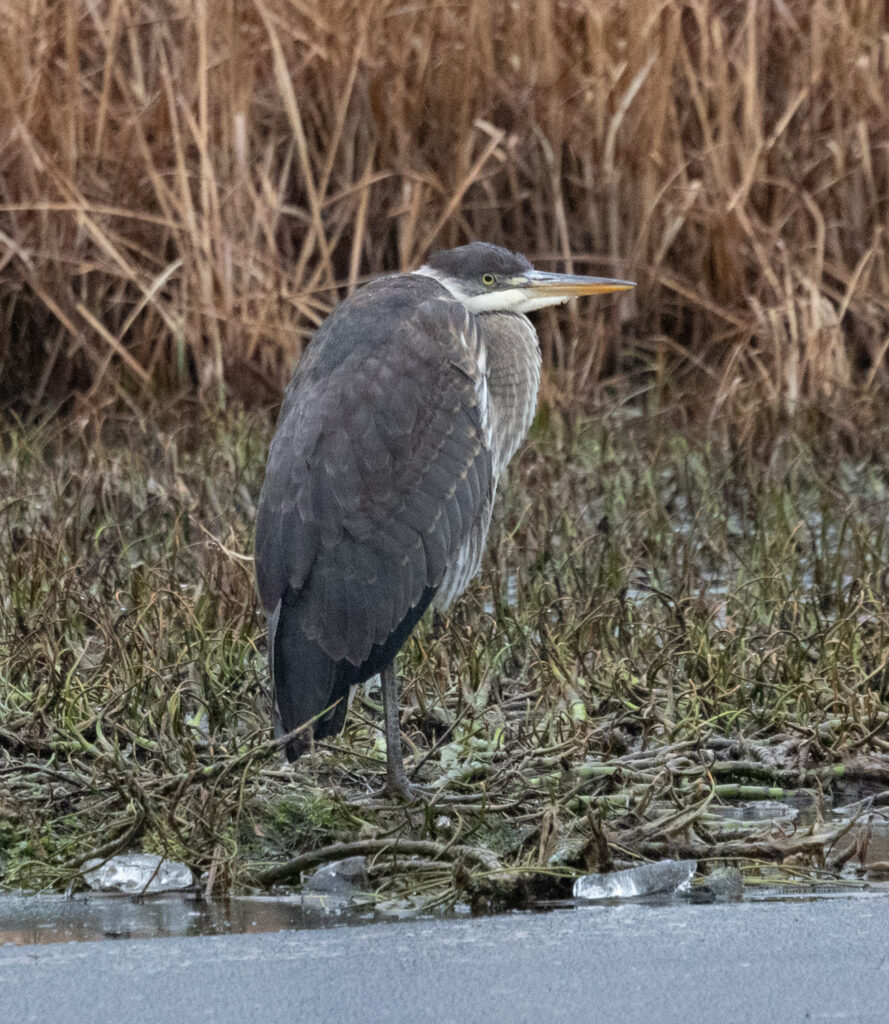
[(661, 627)]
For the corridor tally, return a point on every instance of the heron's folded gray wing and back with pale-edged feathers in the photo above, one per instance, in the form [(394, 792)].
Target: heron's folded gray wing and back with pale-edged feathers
[(379, 475)]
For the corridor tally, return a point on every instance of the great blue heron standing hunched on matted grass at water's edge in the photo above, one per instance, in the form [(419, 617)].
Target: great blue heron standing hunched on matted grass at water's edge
[(400, 419)]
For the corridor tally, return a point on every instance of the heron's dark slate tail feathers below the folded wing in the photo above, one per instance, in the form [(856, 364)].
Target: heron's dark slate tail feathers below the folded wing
[(310, 687)]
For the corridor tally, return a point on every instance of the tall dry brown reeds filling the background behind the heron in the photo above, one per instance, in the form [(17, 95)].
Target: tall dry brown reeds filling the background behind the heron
[(188, 186)]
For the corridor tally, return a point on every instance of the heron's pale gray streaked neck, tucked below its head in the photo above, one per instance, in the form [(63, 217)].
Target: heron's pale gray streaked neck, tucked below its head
[(513, 358)]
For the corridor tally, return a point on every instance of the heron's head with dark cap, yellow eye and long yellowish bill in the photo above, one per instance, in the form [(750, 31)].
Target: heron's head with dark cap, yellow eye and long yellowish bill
[(488, 279)]
